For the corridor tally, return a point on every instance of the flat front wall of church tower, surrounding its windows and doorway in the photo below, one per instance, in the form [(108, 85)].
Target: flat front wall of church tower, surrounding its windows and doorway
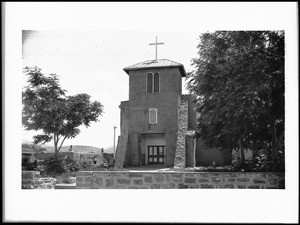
[(166, 102)]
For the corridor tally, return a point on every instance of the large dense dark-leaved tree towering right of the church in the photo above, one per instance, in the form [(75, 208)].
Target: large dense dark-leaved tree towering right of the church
[(239, 84)]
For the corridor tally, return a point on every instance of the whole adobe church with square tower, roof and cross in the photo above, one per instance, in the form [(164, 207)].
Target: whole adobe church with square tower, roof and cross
[(158, 121)]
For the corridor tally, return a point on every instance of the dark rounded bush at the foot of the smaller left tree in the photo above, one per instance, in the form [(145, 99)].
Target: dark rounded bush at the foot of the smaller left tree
[(57, 164)]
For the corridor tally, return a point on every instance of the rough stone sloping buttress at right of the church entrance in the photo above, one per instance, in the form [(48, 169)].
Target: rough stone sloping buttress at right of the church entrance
[(181, 135)]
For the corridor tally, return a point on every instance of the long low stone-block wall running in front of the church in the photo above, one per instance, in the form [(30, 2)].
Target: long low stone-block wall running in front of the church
[(177, 180)]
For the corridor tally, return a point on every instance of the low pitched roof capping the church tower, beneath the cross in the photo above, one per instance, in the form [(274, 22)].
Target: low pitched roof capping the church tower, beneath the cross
[(159, 63)]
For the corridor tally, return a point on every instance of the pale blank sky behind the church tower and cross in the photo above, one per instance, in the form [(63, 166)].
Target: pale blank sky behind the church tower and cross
[(92, 62)]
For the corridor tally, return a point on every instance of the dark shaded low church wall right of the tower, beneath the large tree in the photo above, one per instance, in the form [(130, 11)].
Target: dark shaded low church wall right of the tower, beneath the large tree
[(205, 156)]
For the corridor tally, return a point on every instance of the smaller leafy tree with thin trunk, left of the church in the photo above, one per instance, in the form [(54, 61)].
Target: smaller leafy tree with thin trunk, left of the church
[(46, 107)]
